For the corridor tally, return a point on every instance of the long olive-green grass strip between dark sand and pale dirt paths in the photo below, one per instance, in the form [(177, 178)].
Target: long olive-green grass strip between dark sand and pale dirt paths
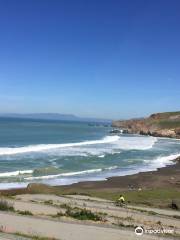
[(159, 197)]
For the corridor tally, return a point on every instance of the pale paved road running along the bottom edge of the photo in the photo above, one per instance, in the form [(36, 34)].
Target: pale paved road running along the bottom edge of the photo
[(64, 231)]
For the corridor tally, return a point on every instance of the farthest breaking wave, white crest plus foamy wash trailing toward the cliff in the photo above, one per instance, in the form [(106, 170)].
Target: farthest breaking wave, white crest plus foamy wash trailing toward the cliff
[(94, 147)]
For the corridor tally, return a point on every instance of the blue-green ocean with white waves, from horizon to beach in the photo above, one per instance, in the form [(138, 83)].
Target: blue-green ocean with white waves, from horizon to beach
[(61, 153)]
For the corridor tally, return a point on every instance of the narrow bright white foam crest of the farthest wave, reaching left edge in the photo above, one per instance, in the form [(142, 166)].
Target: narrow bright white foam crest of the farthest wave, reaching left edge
[(44, 147)]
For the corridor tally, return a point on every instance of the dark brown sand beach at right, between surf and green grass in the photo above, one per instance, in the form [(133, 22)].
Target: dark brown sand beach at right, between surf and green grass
[(162, 177)]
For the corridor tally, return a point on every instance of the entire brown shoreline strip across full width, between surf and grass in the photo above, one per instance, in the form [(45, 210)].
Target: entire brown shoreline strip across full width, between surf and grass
[(165, 177)]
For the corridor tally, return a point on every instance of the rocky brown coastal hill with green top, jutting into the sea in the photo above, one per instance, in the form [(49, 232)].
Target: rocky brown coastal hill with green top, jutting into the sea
[(165, 124)]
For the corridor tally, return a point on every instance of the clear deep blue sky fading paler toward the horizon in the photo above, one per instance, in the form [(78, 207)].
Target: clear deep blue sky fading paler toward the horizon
[(110, 59)]
